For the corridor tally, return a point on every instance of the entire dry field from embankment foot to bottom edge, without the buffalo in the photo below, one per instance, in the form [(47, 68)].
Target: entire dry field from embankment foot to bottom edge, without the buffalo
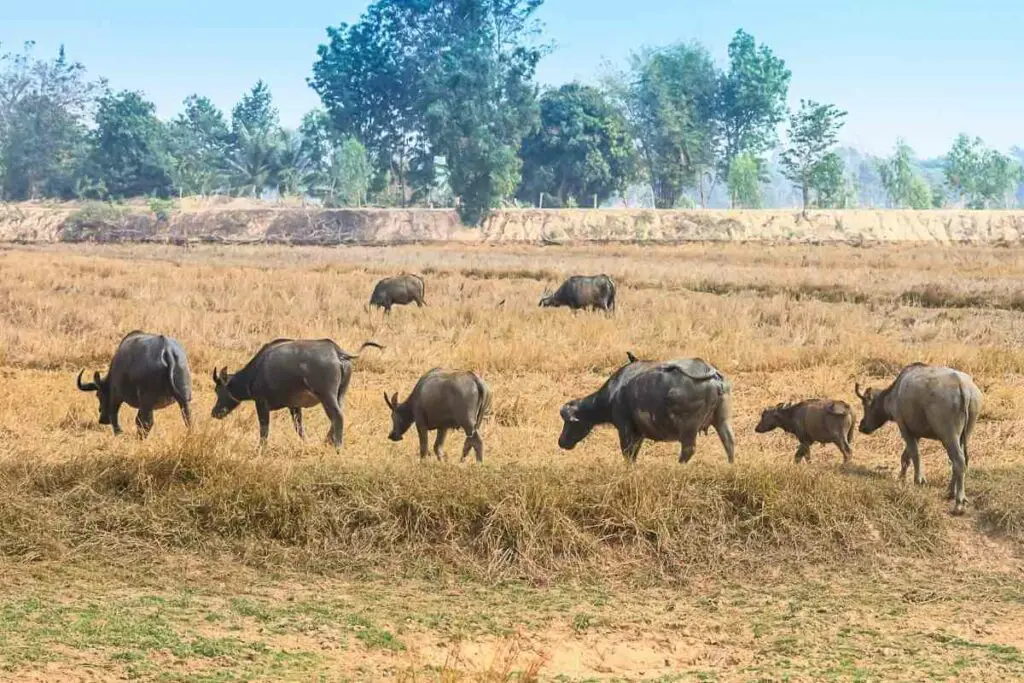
[(195, 557)]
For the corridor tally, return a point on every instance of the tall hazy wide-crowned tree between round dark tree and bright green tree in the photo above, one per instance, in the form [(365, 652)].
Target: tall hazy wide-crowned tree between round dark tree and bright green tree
[(671, 97)]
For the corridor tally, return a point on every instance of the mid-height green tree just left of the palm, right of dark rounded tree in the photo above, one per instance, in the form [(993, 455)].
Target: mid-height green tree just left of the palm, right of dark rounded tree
[(199, 138)]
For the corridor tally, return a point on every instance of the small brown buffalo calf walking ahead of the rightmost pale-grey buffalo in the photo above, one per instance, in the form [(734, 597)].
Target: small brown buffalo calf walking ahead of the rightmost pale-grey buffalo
[(815, 421)]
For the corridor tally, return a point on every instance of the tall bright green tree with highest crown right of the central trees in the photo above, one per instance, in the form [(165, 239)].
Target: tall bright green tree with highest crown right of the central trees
[(752, 101)]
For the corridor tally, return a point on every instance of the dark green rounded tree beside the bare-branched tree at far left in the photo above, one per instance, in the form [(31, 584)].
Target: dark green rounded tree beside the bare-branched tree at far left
[(129, 148)]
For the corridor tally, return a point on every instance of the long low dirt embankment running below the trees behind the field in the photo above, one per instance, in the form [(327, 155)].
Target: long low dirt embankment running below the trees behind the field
[(252, 223)]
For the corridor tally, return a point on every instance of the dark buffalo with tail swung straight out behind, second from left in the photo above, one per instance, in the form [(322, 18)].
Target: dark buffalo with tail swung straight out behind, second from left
[(292, 374)]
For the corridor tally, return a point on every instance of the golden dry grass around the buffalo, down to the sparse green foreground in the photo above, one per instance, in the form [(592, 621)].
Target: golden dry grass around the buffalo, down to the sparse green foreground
[(783, 323)]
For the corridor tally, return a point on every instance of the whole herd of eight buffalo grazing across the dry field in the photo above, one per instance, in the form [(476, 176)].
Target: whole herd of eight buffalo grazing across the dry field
[(661, 401)]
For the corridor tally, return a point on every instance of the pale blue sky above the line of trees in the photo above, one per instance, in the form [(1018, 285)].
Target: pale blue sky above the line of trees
[(924, 70)]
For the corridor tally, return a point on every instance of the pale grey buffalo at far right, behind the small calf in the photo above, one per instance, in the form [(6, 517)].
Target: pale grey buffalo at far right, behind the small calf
[(928, 402)]
